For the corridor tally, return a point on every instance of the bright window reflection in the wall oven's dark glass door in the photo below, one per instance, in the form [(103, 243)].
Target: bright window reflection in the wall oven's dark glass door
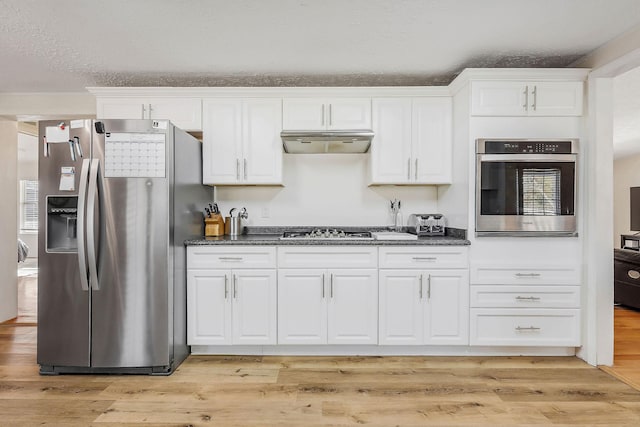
[(541, 191)]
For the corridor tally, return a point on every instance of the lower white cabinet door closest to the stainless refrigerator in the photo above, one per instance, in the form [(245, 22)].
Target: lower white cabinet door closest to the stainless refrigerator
[(208, 307)]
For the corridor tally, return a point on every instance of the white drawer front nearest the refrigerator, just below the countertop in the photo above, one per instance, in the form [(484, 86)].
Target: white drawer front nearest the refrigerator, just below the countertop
[(231, 257)]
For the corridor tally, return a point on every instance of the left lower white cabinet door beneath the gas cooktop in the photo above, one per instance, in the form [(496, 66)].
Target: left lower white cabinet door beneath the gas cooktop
[(302, 307)]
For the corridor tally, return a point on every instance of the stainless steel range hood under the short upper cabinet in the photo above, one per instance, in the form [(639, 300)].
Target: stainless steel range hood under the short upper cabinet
[(318, 142)]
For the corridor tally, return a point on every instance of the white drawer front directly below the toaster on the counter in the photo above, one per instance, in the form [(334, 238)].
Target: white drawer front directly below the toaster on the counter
[(432, 257)]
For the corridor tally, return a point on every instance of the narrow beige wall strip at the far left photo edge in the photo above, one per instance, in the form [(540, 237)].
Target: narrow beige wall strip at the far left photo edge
[(8, 221)]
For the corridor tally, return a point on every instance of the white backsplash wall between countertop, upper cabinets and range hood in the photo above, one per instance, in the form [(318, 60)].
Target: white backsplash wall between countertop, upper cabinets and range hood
[(326, 189)]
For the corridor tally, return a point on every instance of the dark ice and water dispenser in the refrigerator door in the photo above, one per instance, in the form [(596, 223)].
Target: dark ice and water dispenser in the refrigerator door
[(62, 223)]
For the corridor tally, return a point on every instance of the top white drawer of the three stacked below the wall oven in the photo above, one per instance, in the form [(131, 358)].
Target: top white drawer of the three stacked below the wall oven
[(525, 275)]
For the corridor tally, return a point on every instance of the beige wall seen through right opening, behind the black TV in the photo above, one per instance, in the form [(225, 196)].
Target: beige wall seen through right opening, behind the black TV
[(626, 173)]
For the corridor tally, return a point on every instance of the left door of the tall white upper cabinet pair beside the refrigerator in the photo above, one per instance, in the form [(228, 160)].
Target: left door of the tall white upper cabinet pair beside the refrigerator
[(221, 144)]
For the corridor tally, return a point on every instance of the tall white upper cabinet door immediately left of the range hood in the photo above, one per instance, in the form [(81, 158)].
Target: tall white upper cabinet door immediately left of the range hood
[(262, 146)]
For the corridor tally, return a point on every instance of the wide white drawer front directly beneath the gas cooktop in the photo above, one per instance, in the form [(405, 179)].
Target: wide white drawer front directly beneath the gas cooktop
[(327, 257)]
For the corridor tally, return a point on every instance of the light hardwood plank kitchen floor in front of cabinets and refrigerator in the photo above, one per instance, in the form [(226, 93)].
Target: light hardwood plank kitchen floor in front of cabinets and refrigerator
[(316, 391)]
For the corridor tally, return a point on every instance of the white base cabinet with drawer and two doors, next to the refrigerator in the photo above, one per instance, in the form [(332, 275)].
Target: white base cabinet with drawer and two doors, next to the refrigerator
[(231, 305)]
